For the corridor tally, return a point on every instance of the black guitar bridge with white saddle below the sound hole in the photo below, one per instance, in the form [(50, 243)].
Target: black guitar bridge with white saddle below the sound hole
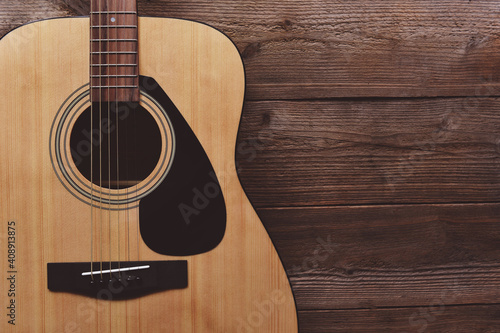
[(124, 280)]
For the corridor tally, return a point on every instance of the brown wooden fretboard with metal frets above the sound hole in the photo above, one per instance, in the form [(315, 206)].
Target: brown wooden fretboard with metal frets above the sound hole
[(114, 70)]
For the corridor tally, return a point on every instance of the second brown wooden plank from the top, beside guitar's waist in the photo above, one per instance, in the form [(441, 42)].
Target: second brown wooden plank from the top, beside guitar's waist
[(349, 152)]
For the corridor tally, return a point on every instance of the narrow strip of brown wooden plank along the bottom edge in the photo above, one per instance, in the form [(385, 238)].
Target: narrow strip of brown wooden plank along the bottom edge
[(432, 317)]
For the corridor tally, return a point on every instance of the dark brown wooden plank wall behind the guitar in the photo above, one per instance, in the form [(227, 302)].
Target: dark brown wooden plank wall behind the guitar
[(370, 146)]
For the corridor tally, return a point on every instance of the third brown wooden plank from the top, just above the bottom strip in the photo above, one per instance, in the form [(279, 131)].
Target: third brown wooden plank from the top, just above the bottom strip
[(388, 256)]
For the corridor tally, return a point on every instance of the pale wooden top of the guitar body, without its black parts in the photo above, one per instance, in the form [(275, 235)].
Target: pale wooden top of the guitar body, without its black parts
[(236, 285)]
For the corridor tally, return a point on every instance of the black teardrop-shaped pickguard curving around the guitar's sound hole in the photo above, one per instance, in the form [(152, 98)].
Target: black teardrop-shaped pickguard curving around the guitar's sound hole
[(186, 214)]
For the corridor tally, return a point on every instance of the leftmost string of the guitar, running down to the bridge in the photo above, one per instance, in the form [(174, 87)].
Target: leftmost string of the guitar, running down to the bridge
[(91, 148)]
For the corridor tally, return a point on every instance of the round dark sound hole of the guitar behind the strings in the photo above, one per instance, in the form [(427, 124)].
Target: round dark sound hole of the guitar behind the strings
[(121, 147)]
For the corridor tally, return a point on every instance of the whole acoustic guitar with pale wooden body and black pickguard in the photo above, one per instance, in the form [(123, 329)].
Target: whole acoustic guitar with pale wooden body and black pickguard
[(121, 207)]
